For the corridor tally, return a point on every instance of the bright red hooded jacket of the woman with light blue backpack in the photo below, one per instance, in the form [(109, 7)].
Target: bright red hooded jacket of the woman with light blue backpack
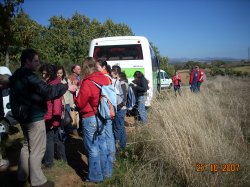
[(88, 97)]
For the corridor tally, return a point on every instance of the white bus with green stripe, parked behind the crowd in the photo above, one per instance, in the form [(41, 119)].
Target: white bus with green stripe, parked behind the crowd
[(131, 53)]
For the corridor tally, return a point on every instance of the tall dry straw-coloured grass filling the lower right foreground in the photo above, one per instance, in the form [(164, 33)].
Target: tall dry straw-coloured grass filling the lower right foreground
[(210, 127)]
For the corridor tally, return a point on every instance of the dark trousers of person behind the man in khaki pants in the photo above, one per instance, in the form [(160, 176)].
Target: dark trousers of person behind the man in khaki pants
[(52, 140)]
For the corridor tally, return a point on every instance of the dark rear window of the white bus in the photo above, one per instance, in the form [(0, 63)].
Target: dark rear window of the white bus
[(118, 52)]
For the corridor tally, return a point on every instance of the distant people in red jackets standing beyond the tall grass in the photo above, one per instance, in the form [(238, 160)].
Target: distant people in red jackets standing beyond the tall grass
[(195, 80)]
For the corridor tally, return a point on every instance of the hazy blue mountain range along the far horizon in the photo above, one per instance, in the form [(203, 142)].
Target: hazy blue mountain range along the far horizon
[(207, 60)]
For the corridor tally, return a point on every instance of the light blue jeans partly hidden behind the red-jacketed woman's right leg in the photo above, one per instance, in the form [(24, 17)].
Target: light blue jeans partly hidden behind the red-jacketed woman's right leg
[(110, 140)]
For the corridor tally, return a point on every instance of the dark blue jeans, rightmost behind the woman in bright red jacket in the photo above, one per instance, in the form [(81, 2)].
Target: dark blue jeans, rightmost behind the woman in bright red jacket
[(119, 128)]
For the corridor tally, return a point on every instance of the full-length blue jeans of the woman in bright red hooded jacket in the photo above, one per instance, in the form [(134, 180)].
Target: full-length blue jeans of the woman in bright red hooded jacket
[(99, 165)]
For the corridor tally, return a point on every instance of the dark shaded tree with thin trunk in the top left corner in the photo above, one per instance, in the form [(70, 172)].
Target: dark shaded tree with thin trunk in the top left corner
[(8, 10)]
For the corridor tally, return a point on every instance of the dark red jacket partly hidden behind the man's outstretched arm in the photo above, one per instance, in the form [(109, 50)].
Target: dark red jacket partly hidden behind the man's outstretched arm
[(54, 112)]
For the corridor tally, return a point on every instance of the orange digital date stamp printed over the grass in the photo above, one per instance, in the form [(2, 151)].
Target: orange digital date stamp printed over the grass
[(214, 167)]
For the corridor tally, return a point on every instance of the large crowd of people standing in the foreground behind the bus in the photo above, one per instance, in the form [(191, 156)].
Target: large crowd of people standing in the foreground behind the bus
[(40, 103)]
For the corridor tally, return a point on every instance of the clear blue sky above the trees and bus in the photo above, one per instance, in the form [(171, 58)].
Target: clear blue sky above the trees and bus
[(179, 28)]
